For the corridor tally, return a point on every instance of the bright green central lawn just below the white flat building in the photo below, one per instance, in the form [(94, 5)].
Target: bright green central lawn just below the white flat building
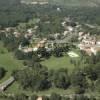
[(61, 62)]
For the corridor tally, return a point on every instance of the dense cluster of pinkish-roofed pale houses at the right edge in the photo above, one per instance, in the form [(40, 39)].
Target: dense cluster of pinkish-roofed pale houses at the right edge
[(88, 43)]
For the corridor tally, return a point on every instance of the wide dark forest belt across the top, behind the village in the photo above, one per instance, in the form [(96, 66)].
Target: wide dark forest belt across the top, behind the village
[(11, 13)]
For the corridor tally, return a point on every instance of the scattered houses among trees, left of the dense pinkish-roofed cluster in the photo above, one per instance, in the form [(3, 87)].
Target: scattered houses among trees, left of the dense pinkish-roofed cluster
[(70, 30)]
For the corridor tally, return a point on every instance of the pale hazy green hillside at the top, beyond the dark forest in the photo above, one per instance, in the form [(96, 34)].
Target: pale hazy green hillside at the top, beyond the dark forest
[(90, 3)]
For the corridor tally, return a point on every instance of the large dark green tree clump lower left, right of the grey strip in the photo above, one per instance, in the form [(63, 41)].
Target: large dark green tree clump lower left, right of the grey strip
[(34, 78)]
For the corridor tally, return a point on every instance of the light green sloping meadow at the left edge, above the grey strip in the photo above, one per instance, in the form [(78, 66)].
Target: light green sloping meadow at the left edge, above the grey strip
[(8, 61)]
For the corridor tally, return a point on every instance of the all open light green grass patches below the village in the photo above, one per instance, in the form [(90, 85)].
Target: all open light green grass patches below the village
[(10, 63)]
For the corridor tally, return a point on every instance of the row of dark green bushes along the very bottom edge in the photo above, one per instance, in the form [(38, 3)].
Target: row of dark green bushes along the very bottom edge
[(53, 96)]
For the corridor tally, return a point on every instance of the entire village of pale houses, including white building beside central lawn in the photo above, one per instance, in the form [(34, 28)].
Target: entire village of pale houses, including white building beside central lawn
[(86, 42)]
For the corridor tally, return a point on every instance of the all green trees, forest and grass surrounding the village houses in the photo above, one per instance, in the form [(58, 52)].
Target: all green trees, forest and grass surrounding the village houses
[(50, 70)]
